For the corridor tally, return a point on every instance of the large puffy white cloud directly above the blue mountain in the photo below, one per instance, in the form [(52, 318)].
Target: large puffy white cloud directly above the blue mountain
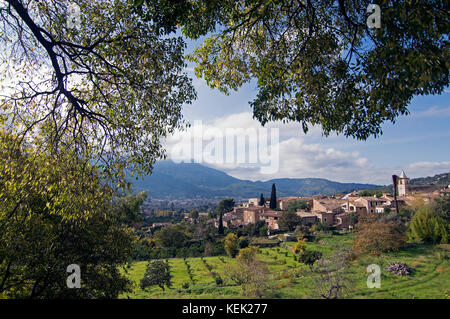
[(296, 157)]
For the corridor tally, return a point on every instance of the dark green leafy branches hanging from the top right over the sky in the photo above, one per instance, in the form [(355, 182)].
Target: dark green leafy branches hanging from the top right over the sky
[(318, 62)]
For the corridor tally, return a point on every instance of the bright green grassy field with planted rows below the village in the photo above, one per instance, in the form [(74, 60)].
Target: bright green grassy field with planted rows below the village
[(291, 279)]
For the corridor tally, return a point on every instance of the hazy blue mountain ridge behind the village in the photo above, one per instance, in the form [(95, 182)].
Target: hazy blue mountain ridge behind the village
[(191, 180)]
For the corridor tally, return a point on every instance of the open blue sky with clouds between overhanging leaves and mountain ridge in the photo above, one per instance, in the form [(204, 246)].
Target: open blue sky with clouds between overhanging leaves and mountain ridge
[(419, 143)]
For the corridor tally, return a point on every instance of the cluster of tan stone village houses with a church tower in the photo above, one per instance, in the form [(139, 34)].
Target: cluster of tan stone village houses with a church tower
[(334, 211)]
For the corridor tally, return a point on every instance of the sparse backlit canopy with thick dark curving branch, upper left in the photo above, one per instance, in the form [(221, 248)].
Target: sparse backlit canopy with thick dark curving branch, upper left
[(112, 88)]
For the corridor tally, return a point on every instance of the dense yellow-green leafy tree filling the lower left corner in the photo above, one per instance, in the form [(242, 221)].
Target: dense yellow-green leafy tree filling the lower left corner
[(57, 211)]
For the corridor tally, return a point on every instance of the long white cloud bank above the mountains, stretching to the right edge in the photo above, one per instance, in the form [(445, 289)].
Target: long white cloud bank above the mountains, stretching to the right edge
[(298, 157)]
